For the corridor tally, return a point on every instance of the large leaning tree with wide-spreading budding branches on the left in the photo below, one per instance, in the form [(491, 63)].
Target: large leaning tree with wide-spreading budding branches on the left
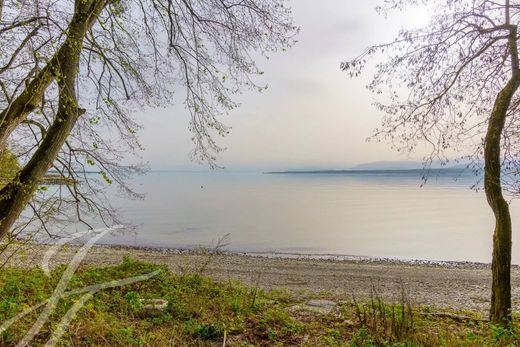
[(73, 73)]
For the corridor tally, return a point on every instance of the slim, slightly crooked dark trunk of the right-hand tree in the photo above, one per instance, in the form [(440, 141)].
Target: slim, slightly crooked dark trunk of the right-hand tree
[(500, 312)]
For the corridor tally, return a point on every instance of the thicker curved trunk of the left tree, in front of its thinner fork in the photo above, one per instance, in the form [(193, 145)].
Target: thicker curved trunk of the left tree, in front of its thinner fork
[(16, 194)]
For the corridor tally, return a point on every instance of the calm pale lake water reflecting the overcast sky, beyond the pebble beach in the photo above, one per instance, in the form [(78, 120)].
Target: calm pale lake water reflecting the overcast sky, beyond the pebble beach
[(383, 215)]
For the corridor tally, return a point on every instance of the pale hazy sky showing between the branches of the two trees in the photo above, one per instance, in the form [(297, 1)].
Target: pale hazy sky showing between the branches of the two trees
[(312, 115)]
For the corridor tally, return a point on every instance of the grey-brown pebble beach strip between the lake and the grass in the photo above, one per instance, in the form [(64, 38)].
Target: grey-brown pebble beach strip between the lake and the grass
[(454, 285)]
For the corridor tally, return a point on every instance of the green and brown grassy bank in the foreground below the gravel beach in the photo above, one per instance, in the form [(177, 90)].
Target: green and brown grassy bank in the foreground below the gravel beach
[(202, 312)]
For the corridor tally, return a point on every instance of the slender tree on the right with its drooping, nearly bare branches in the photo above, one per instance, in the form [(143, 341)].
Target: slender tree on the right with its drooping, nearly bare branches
[(453, 85)]
